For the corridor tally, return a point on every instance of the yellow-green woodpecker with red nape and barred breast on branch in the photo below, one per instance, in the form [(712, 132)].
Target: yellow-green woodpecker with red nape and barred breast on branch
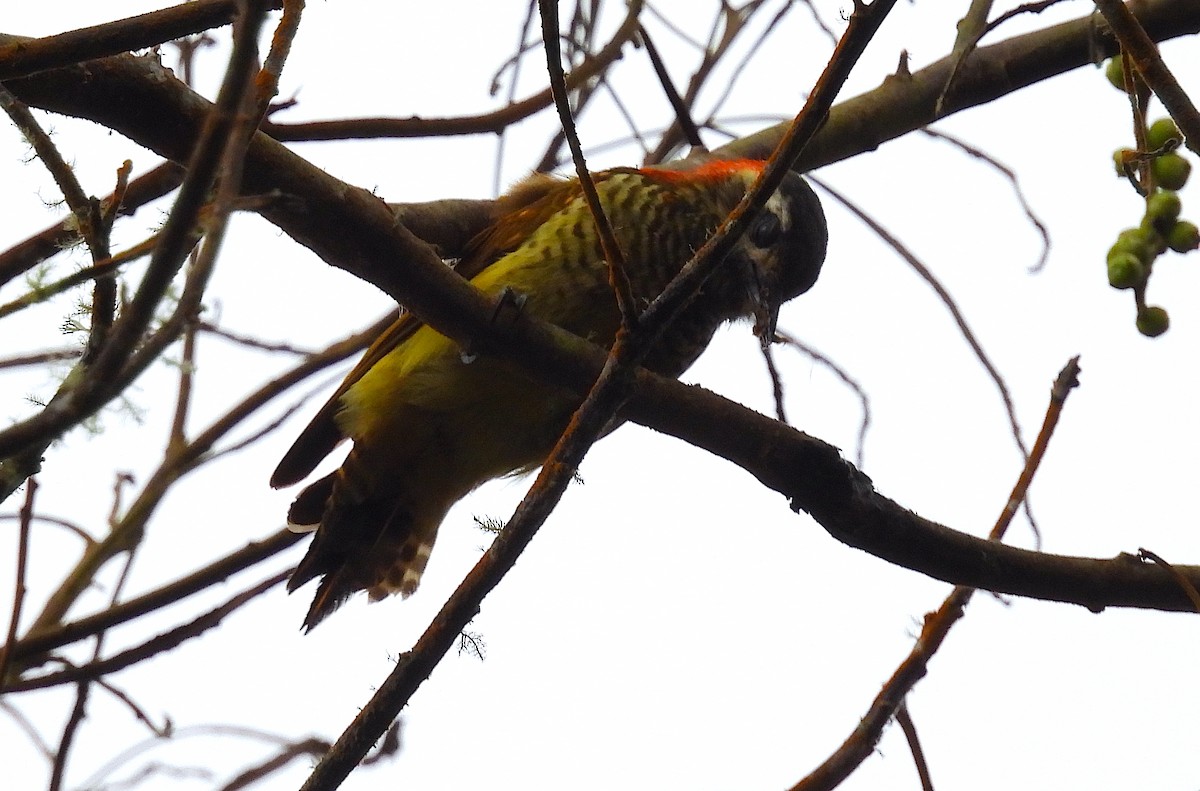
[(429, 424)]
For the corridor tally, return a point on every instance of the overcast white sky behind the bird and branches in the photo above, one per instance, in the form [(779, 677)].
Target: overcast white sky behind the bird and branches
[(675, 625)]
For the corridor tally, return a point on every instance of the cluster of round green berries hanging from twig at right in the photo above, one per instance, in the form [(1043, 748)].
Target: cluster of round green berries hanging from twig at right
[(1157, 171)]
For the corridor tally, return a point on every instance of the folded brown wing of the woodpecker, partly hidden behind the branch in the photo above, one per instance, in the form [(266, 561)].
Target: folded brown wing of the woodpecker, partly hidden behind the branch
[(518, 215)]
